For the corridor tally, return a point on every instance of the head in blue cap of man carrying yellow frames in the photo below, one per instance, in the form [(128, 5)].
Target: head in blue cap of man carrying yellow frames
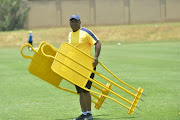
[(75, 22)]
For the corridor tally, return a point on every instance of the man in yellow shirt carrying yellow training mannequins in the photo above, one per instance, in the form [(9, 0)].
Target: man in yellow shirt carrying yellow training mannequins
[(83, 39)]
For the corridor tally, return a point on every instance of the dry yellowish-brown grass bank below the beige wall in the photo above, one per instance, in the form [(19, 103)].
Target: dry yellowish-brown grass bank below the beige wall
[(123, 33)]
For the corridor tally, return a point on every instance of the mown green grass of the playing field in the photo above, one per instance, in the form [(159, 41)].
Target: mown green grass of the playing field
[(154, 66)]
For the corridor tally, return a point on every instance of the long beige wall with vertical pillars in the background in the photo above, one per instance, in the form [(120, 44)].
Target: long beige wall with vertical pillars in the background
[(55, 13)]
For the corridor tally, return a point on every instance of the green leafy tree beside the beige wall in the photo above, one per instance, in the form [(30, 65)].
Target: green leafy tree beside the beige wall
[(13, 14)]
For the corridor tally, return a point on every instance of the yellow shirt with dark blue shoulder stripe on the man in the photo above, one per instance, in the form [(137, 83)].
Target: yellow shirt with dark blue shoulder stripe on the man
[(83, 39)]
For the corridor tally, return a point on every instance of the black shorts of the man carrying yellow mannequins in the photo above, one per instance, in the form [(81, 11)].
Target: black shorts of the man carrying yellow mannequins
[(88, 85)]
